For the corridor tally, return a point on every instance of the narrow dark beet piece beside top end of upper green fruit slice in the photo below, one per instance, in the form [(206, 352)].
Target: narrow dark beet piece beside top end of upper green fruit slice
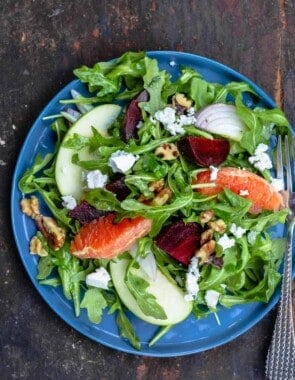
[(133, 117)]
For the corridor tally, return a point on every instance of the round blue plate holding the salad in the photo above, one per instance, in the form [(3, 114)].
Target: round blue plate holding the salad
[(191, 336)]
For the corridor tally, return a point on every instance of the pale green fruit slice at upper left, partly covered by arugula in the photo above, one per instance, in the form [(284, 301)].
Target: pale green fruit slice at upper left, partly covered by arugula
[(68, 176)]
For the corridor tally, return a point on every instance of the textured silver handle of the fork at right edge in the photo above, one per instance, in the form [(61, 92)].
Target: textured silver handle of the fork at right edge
[(280, 364)]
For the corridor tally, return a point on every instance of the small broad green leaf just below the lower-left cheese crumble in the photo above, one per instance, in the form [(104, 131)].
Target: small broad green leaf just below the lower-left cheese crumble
[(95, 303)]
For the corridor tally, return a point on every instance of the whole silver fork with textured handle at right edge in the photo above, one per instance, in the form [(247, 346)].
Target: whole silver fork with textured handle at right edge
[(280, 363)]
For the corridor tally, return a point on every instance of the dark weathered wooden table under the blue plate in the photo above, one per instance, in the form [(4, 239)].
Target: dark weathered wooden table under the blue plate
[(41, 42)]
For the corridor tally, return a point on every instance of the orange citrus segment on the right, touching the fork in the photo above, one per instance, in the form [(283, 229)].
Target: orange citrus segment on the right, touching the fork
[(242, 182)]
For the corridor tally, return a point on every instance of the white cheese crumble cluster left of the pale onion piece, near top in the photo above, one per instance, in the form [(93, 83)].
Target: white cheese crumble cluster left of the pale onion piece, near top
[(172, 123)]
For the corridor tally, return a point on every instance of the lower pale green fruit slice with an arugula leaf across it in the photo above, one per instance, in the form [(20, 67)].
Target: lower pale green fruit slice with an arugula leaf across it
[(169, 296)]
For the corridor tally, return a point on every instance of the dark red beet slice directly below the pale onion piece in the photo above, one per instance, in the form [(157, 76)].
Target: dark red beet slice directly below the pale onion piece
[(204, 152)]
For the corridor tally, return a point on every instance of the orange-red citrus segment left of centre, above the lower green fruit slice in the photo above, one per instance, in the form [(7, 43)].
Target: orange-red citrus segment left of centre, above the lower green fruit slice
[(104, 239)]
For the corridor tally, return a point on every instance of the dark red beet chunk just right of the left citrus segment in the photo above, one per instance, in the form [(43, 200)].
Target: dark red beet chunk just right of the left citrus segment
[(180, 240)]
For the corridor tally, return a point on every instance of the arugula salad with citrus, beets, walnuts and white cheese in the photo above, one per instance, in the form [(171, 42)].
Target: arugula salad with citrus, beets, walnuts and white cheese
[(162, 195)]
